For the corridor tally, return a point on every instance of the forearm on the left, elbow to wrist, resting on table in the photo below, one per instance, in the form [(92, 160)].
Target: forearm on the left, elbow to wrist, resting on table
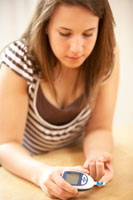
[(17, 160)]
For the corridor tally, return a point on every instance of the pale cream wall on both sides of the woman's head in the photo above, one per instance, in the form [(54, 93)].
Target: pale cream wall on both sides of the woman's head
[(15, 15)]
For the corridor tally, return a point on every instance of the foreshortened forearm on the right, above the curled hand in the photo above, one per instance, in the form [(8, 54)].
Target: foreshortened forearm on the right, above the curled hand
[(97, 142)]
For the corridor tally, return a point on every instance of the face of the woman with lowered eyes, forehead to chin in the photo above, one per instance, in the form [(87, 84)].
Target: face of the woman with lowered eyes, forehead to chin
[(72, 33)]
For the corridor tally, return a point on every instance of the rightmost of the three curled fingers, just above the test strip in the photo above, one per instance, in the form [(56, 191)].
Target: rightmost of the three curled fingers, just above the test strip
[(99, 170)]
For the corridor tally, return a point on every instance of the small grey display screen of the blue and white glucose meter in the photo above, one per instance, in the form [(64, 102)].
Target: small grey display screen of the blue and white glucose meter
[(72, 178)]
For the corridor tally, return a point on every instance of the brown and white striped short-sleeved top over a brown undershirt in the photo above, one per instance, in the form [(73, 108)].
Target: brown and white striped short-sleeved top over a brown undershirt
[(40, 135)]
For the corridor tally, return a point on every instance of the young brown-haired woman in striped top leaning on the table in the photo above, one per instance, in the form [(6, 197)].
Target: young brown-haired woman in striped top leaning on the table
[(58, 86)]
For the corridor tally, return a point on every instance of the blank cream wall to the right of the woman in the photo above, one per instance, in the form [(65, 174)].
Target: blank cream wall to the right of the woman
[(123, 13)]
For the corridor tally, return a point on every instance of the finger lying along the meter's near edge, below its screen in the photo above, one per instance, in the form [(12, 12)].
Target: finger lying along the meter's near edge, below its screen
[(64, 185)]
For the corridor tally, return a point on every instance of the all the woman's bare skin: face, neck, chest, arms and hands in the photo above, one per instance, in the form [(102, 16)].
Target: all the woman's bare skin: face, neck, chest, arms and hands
[(71, 51)]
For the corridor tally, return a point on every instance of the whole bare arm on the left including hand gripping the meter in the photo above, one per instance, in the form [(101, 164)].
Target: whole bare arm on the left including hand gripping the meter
[(13, 156)]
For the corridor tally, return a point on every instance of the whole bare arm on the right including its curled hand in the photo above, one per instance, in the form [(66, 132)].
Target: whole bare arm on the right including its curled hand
[(98, 142)]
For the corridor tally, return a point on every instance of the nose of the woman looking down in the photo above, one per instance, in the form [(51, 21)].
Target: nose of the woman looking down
[(76, 46)]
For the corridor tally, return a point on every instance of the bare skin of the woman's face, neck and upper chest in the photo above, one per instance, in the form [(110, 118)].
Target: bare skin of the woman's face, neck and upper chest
[(72, 43)]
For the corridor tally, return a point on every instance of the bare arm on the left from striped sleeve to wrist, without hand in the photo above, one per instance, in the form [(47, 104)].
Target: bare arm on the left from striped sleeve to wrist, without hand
[(13, 101)]
